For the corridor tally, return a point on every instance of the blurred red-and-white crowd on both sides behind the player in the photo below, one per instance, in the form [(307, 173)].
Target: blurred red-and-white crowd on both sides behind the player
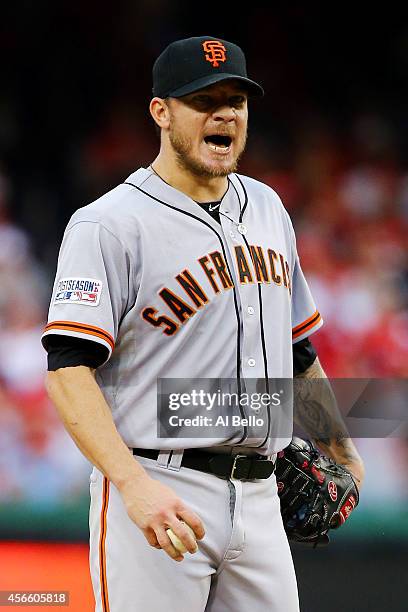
[(350, 211)]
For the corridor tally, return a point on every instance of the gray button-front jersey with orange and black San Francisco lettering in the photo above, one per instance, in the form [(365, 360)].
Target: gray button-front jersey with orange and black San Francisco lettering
[(171, 294)]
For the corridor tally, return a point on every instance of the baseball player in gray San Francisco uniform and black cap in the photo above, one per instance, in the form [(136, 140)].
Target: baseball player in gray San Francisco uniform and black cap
[(185, 270)]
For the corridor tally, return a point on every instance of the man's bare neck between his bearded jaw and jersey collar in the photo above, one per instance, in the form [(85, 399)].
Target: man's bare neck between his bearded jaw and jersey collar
[(198, 188)]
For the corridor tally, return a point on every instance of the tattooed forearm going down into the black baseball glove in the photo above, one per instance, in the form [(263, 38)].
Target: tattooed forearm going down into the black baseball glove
[(316, 411)]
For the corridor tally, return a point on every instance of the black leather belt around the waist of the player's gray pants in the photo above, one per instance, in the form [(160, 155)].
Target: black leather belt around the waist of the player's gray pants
[(241, 467)]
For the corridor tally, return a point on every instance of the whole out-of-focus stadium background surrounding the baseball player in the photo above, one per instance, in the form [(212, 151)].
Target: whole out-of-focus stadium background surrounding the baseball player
[(331, 137)]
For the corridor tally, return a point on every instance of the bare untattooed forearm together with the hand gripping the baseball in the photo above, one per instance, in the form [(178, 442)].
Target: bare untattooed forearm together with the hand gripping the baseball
[(88, 419)]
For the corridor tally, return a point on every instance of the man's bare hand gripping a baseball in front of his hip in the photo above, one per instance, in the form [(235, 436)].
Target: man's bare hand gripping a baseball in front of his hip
[(154, 507)]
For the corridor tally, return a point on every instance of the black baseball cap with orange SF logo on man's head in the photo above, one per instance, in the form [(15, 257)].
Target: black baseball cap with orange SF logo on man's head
[(194, 63)]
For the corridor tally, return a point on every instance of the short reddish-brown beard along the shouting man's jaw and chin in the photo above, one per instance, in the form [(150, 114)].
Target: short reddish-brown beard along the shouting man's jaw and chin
[(182, 146)]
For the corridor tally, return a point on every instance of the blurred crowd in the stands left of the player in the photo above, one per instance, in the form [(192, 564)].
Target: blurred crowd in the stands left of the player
[(38, 462)]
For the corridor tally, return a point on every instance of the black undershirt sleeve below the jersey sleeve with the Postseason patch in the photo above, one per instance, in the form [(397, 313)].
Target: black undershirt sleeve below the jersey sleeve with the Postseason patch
[(69, 352)]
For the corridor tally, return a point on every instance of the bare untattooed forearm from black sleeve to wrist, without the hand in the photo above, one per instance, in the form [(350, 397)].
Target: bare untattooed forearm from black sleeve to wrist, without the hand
[(87, 418)]
